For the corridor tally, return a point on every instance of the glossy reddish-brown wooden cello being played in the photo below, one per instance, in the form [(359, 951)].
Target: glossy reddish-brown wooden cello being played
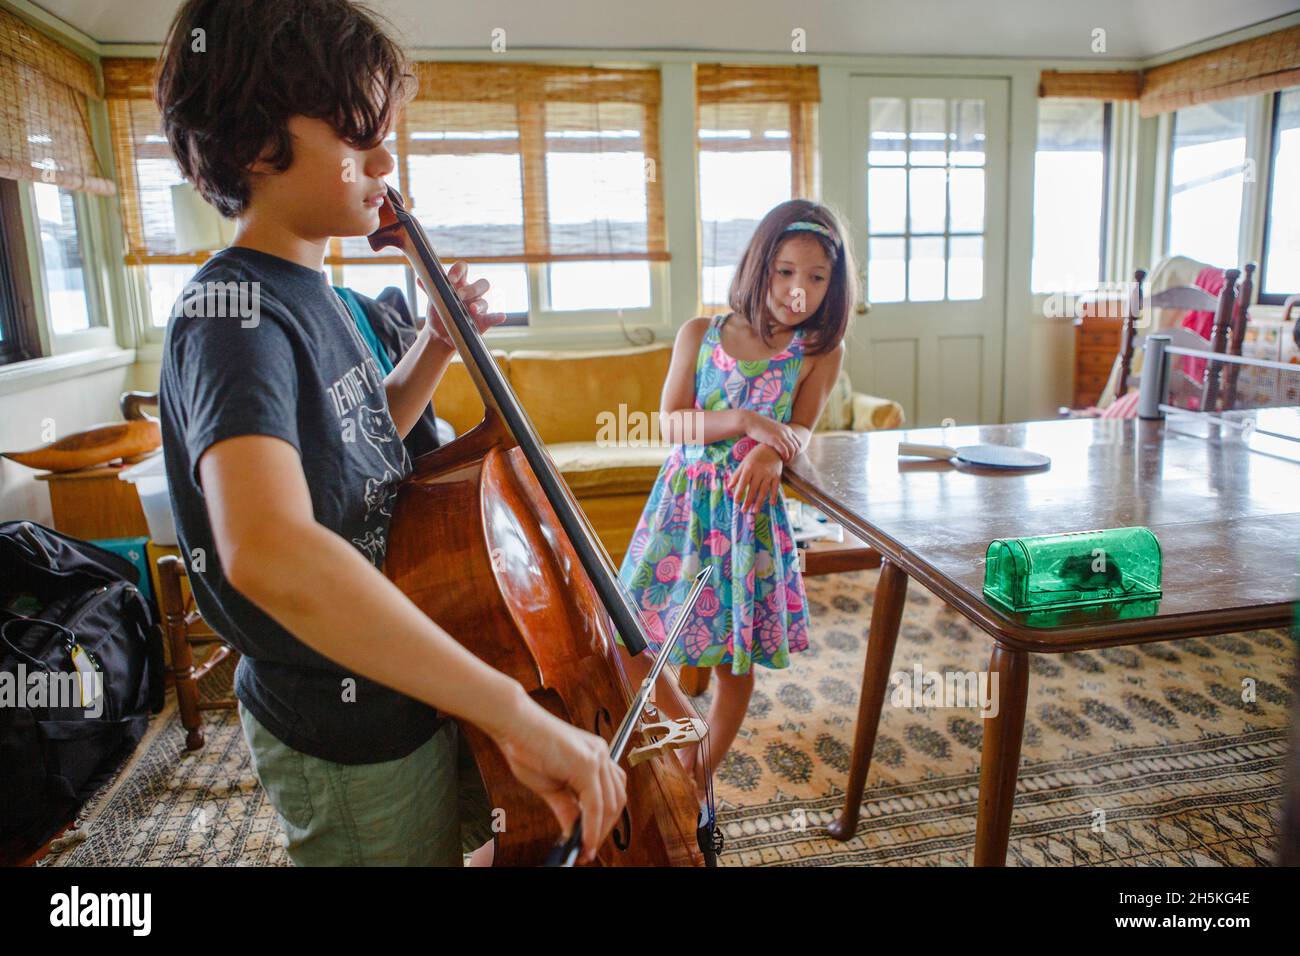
[(488, 540)]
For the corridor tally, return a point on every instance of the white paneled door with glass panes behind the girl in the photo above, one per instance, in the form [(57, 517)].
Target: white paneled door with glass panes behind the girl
[(930, 230)]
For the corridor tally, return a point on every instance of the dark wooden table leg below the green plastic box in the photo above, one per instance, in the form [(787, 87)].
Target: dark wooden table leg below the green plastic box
[(1000, 762)]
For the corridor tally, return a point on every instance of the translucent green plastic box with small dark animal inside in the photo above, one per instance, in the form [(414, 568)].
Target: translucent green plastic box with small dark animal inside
[(1076, 570)]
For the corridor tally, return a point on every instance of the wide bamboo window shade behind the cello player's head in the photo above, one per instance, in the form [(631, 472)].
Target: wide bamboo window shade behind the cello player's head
[(487, 159)]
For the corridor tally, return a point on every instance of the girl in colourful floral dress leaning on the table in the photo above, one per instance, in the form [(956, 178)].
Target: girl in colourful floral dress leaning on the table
[(742, 397)]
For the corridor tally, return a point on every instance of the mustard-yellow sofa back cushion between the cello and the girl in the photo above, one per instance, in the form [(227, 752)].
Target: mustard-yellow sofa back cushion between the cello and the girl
[(569, 395)]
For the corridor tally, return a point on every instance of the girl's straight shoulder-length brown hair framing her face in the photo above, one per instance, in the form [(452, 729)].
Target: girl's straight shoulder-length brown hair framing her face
[(826, 328)]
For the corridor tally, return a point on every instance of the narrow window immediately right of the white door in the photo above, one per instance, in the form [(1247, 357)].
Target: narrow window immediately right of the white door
[(1071, 196)]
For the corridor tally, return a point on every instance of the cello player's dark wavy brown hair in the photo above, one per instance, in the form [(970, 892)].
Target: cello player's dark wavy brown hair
[(233, 72)]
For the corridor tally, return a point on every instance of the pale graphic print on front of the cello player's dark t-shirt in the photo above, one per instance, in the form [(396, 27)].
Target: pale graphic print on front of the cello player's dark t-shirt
[(358, 399)]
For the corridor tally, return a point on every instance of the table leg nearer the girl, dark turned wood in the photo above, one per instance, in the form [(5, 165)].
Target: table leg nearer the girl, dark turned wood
[(886, 617)]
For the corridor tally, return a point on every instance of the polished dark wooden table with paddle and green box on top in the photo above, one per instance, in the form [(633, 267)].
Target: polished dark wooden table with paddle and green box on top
[(1223, 500)]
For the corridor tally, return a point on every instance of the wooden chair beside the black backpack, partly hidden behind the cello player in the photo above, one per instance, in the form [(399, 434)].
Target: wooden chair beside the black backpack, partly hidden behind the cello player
[(185, 629)]
